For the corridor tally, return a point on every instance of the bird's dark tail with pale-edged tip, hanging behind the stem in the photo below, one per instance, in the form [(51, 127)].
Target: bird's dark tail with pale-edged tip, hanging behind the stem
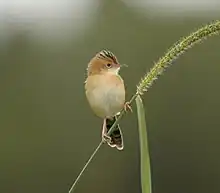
[(116, 138)]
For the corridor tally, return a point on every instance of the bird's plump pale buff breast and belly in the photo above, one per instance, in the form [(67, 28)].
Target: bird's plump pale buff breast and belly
[(106, 95)]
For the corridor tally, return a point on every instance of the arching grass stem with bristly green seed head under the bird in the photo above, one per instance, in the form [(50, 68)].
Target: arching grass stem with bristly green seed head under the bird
[(146, 82)]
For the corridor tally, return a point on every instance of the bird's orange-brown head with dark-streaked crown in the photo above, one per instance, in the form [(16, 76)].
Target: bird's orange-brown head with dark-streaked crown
[(103, 62)]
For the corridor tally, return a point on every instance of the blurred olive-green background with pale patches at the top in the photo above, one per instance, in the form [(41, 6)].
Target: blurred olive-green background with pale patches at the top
[(47, 130)]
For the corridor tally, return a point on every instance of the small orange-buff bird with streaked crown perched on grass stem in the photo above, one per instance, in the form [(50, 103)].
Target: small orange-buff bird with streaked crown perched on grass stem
[(105, 92)]
